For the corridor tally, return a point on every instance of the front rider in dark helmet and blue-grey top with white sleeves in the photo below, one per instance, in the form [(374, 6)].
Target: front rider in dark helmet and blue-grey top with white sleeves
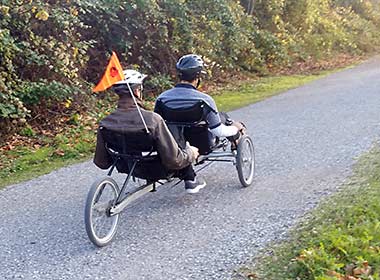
[(190, 68)]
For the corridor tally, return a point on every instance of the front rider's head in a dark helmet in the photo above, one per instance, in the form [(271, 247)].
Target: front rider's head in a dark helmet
[(189, 68)]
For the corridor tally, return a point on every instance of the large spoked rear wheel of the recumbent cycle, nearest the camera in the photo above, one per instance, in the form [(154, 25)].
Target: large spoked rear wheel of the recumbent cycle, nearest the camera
[(100, 225)]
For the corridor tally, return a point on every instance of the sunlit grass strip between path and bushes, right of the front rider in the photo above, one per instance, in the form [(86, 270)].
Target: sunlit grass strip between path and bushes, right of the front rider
[(254, 91)]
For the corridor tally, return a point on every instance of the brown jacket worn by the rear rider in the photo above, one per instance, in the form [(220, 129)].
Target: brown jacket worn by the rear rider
[(126, 117)]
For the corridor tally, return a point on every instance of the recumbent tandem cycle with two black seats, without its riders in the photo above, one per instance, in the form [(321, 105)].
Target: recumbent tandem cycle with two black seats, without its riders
[(135, 155)]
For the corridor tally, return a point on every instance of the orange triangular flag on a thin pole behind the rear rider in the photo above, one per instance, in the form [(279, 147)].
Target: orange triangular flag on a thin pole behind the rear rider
[(113, 74)]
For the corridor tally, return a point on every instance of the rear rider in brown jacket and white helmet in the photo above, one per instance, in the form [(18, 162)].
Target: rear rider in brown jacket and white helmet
[(129, 117)]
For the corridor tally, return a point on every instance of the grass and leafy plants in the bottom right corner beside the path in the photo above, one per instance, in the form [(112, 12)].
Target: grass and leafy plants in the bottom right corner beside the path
[(339, 240)]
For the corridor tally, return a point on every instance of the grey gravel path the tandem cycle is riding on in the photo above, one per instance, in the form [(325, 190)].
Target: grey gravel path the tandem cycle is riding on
[(306, 142)]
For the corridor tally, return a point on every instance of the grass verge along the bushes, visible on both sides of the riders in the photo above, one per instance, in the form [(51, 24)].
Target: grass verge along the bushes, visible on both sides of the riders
[(78, 143)]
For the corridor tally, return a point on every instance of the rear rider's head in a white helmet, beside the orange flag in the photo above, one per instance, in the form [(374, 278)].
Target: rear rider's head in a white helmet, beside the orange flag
[(134, 79)]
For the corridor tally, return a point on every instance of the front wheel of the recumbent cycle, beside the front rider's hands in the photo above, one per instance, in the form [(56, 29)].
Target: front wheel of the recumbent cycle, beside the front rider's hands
[(245, 160)]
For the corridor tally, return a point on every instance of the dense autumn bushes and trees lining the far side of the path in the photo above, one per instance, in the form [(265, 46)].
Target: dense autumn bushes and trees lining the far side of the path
[(53, 51)]
